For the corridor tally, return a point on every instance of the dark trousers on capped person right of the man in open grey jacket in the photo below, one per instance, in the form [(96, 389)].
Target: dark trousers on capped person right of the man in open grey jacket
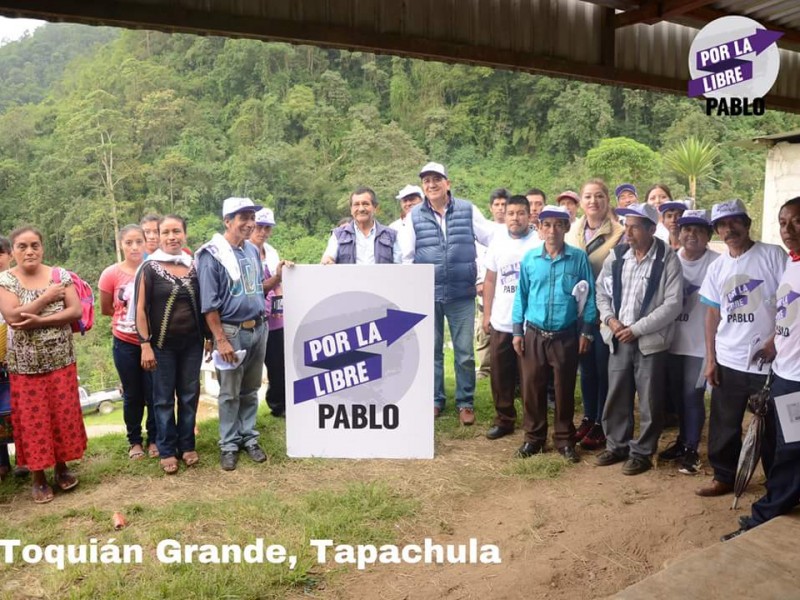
[(683, 374)]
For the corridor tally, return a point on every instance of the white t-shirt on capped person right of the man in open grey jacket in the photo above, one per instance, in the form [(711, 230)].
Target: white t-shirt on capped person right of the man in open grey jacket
[(689, 337)]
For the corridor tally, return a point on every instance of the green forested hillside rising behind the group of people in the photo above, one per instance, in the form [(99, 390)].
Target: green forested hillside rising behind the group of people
[(99, 126)]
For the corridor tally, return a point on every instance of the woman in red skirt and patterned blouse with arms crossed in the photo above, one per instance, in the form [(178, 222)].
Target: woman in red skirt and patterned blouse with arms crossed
[(45, 407)]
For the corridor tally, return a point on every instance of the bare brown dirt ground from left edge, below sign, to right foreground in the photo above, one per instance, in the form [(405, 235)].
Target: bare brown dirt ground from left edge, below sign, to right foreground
[(586, 534)]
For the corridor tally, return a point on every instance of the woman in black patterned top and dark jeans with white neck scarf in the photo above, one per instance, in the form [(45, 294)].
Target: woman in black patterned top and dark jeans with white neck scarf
[(170, 328)]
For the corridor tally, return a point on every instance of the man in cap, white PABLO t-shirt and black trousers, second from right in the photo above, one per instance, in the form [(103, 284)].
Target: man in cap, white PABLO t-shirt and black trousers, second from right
[(740, 293)]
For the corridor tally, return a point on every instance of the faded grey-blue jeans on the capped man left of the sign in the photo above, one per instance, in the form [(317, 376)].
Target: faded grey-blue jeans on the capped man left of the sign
[(238, 389)]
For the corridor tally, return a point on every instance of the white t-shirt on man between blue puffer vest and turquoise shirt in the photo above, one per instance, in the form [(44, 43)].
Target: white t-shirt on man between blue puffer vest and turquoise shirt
[(503, 257)]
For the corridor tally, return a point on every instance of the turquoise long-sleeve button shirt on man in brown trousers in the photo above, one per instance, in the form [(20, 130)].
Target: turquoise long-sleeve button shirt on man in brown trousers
[(544, 293)]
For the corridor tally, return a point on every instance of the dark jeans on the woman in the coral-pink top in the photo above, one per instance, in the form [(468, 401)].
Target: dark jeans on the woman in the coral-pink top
[(137, 391)]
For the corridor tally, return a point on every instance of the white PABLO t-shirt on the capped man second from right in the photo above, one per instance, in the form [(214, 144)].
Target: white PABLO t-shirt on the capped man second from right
[(744, 289)]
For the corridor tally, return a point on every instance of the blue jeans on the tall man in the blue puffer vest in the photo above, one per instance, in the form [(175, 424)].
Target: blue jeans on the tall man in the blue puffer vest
[(461, 319)]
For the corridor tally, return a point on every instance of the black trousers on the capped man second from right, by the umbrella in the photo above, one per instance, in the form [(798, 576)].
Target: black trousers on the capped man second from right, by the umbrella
[(728, 404)]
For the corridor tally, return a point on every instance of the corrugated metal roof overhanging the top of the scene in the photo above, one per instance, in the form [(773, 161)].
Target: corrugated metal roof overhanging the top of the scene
[(643, 44)]
